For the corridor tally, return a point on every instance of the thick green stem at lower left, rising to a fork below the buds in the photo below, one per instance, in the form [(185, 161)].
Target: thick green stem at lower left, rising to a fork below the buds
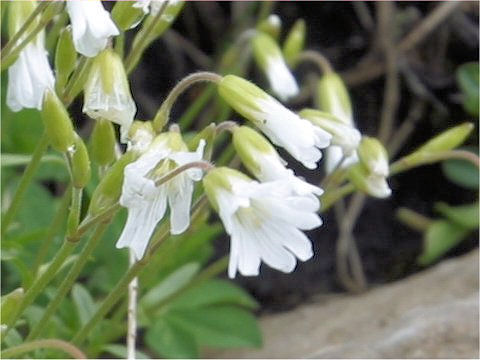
[(42, 281)]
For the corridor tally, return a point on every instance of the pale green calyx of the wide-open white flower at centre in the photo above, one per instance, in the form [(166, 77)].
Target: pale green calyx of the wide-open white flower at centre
[(220, 179)]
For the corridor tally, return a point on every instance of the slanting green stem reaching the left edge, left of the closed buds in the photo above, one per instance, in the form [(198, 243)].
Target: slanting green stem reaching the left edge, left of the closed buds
[(25, 181)]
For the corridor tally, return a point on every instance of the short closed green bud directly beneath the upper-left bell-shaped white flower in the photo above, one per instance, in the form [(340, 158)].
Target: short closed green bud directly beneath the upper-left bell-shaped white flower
[(103, 143)]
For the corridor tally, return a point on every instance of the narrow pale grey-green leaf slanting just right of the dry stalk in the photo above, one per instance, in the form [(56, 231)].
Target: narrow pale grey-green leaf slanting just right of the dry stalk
[(170, 284)]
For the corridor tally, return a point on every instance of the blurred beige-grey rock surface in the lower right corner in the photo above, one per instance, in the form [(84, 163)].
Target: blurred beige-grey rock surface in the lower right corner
[(433, 314)]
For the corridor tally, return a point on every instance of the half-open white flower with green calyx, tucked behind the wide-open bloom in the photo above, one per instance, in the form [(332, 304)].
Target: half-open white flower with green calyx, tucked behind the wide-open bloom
[(263, 161)]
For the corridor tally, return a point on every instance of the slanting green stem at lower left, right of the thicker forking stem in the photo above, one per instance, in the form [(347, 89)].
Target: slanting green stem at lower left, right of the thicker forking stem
[(67, 283)]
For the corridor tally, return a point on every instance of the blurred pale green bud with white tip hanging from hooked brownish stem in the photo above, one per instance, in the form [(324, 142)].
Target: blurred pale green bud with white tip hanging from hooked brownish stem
[(333, 97)]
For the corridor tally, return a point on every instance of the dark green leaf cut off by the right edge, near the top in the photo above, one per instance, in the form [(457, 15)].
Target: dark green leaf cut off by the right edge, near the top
[(468, 81)]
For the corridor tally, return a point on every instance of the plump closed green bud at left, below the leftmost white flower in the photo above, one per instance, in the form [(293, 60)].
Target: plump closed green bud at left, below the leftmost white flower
[(56, 120)]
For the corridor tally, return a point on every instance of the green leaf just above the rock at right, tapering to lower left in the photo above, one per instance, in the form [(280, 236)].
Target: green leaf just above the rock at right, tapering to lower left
[(440, 237)]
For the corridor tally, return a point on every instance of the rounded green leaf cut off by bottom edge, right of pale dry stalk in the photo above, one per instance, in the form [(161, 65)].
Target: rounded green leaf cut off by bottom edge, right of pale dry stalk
[(171, 341)]
